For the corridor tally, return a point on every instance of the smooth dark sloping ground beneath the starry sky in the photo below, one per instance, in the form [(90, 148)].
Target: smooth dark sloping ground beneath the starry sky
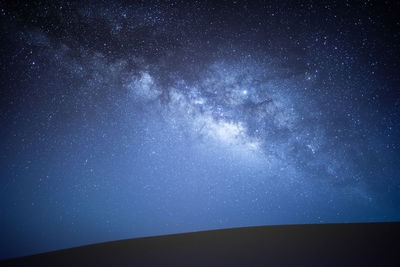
[(365, 244)]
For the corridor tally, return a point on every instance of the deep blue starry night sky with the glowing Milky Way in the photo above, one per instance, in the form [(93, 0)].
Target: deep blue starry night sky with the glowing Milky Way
[(130, 119)]
